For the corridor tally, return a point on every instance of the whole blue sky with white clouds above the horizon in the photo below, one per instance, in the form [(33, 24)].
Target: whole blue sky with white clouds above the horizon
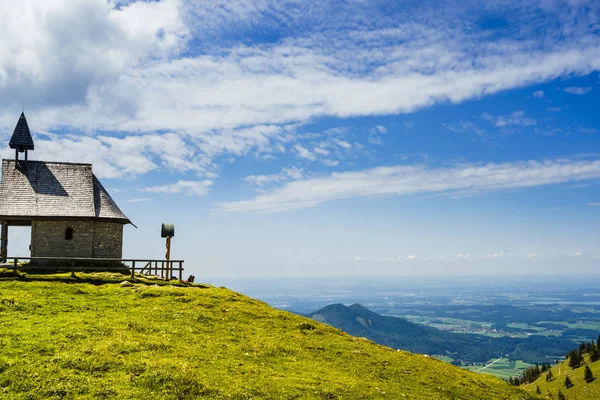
[(289, 138)]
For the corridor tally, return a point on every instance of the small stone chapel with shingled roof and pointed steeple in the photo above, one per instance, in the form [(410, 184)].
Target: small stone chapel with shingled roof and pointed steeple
[(70, 213)]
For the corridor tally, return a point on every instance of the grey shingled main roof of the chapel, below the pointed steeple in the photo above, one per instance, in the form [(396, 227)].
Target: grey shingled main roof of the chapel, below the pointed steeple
[(54, 190)]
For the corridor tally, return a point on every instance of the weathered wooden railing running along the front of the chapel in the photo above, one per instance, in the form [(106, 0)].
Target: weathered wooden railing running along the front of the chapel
[(162, 268)]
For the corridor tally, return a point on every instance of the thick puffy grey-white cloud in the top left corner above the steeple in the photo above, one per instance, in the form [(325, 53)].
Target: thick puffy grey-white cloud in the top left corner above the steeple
[(53, 51)]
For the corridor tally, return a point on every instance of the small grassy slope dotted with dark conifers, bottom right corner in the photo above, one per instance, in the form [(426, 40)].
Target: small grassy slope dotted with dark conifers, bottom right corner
[(580, 390)]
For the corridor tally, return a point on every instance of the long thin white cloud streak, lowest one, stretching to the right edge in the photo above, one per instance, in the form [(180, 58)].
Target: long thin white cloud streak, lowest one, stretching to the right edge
[(409, 180)]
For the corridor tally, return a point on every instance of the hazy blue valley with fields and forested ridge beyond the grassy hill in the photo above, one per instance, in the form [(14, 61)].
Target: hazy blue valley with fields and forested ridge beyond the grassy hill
[(493, 326)]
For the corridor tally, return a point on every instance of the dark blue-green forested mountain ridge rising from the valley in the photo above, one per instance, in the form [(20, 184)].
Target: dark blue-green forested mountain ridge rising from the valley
[(399, 333)]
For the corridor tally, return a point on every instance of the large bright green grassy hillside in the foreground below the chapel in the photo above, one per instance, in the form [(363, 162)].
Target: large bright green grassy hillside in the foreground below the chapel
[(94, 339)]
